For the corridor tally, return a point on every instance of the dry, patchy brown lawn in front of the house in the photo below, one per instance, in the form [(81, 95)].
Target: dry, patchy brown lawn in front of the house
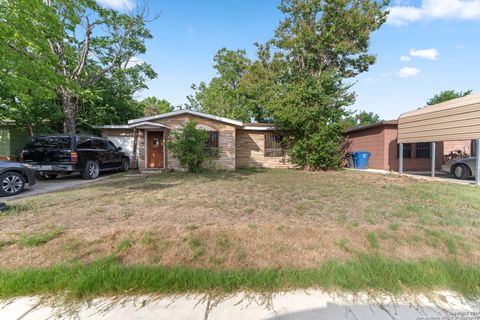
[(243, 219)]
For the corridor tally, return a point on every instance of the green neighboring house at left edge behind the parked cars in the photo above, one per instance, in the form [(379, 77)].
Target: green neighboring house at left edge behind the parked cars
[(12, 139)]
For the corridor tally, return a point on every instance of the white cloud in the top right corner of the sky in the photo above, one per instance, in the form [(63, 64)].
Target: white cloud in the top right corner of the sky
[(435, 9)]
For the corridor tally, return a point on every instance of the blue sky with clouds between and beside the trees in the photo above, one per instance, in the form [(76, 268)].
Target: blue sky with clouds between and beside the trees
[(426, 46)]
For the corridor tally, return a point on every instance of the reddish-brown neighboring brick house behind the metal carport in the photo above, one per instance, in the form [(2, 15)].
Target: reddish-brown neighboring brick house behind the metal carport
[(380, 139)]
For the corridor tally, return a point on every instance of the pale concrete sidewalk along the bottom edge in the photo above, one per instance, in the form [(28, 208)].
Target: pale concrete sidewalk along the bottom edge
[(304, 305)]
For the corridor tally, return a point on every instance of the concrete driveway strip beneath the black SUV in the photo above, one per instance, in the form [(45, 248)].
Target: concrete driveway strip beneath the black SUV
[(61, 183)]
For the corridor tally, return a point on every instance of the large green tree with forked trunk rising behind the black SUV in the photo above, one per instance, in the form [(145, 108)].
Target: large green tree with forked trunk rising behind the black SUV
[(78, 44)]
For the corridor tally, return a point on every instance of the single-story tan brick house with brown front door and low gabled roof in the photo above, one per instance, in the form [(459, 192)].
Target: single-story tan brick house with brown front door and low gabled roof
[(239, 144)]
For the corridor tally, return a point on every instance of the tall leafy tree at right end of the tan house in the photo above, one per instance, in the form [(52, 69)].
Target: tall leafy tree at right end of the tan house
[(319, 46)]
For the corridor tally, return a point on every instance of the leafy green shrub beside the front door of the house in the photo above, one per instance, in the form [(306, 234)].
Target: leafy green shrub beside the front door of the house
[(188, 146)]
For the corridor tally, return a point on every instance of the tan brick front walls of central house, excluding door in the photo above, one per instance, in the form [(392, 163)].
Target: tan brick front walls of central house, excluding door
[(238, 147)]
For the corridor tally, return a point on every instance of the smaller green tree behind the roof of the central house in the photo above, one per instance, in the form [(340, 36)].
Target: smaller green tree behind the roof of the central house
[(223, 95)]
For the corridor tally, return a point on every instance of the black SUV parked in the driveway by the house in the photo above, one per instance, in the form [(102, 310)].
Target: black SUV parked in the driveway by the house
[(52, 155)]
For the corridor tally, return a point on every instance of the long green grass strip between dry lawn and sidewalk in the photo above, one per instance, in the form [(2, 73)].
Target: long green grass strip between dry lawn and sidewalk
[(363, 272)]
